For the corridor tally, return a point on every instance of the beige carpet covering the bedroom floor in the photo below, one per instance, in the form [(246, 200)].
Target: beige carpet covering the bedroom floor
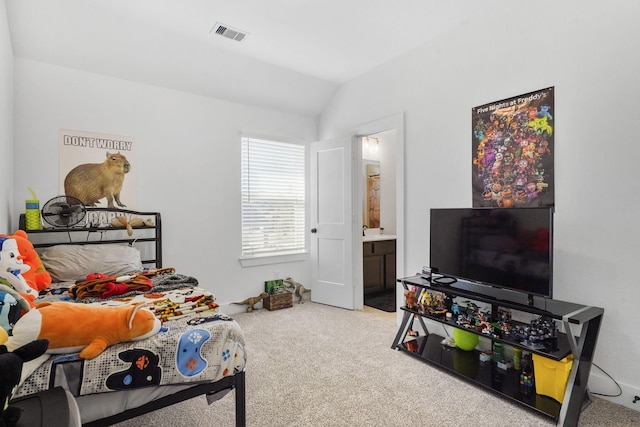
[(315, 365)]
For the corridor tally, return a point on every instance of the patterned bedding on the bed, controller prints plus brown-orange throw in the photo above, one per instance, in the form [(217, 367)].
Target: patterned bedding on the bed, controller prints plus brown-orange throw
[(196, 344)]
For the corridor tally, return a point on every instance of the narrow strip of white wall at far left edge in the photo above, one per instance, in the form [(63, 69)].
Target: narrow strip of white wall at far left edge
[(6, 122)]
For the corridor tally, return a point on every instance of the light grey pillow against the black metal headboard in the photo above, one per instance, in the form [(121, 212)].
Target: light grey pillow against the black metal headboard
[(67, 263)]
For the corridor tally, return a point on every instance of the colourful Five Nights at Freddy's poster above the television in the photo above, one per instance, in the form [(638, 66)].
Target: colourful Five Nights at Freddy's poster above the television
[(513, 151)]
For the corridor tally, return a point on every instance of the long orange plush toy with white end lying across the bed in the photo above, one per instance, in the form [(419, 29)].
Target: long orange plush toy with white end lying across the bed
[(71, 327)]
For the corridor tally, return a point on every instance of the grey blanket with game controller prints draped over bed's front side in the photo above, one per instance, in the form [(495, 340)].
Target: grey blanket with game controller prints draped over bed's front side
[(198, 349)]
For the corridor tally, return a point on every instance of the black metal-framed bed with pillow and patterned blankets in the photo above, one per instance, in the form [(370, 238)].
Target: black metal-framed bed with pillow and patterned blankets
[(198, 351)]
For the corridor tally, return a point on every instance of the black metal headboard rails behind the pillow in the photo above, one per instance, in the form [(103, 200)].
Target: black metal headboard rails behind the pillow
[(97, 228)]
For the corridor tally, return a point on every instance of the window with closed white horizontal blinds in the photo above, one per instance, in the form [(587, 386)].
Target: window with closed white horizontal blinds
[(273, 198)]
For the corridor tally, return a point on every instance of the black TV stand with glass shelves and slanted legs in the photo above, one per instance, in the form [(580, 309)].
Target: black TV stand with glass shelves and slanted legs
[(581, 325)]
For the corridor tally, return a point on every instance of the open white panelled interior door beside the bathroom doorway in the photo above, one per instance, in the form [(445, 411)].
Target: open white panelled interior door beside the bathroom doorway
[(331, 221)]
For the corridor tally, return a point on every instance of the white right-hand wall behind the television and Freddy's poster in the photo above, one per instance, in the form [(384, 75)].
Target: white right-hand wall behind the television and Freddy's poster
[(589, 51)]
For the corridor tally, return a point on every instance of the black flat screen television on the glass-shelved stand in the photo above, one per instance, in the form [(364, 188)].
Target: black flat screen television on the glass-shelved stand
[(504, 248)]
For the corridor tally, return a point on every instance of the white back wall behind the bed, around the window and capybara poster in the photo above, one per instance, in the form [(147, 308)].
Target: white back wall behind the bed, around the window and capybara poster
[(187, 162)]
